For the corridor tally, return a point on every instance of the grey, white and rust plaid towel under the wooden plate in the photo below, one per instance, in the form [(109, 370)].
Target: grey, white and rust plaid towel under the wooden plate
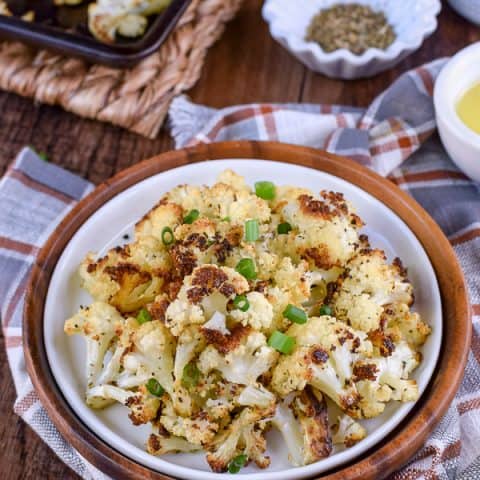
[(35, 196)]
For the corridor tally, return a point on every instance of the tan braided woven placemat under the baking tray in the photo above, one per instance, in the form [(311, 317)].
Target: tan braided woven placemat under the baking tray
[(136, 98)]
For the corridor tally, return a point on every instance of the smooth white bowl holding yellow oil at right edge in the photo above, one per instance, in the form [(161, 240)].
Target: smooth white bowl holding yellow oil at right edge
[(461, 143)]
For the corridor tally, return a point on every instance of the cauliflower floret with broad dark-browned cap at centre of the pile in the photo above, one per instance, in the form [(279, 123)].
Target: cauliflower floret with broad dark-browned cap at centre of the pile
[(206, 291)]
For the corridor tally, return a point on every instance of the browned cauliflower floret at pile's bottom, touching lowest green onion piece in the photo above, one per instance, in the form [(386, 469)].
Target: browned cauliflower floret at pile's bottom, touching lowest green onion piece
[(245, 436)]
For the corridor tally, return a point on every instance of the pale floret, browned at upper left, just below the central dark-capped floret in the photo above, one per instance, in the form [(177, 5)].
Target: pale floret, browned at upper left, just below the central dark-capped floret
[(241, 357)]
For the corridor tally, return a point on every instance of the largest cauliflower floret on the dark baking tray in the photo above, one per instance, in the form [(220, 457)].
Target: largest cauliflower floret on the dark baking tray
[(107, 18)]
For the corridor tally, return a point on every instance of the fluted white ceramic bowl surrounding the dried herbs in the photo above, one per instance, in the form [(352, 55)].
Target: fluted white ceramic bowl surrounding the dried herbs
[(413, 20)]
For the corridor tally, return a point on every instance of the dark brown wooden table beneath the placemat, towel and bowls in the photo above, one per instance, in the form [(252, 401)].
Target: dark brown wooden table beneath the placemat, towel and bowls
[(246, 65)]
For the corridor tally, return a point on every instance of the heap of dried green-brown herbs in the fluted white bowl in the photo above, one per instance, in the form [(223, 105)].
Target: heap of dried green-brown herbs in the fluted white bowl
[(352, 26)]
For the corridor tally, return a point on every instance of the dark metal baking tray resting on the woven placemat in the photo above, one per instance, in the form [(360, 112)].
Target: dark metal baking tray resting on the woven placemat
[(64, 30)]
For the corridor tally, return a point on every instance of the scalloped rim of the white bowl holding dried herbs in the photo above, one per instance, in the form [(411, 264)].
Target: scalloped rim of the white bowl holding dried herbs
[(299, 45)]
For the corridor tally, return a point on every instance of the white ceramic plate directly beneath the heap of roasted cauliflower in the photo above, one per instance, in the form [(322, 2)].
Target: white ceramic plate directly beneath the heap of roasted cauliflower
[(105, 229)]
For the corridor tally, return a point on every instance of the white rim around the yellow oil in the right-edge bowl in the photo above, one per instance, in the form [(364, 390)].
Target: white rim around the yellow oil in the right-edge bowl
[(442, 102)]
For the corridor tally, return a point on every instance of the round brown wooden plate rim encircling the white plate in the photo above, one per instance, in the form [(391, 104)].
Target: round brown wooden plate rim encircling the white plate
[(380, 461)]
